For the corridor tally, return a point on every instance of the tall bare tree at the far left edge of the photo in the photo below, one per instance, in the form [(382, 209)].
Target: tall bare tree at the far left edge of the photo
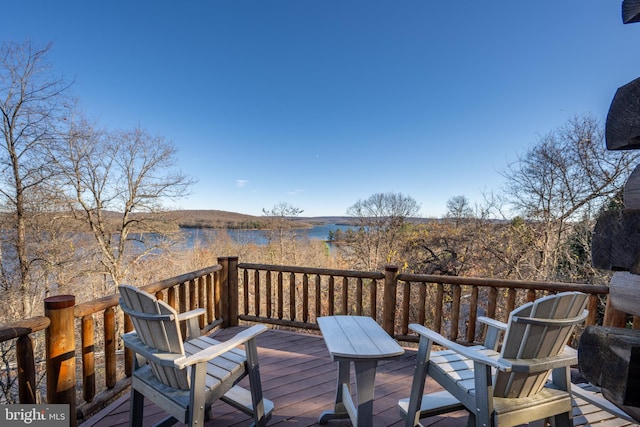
[(31, 101)]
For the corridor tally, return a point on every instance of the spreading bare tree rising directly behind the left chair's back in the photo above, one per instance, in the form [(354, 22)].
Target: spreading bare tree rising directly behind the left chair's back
[(115, 182)]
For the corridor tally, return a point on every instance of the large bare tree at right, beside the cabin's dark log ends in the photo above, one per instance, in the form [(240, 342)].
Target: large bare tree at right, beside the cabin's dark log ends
[(564, 180)]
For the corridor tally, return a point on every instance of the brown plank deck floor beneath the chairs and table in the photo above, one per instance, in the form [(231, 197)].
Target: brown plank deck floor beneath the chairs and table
[(300, 378)]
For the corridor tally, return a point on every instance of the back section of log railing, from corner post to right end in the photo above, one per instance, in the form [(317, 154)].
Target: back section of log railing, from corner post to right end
[(296, 296)]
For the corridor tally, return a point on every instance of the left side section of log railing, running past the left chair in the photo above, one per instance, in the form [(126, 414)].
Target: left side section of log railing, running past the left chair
[(98, 324)]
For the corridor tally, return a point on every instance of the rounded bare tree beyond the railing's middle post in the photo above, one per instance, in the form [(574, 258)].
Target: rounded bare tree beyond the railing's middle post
[(380, 220)]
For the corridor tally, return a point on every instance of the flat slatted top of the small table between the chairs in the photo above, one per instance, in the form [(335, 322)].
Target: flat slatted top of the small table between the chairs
[(357, 337)]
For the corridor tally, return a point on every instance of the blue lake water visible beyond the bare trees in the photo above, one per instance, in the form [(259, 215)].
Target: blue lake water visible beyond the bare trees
[(259, 237)]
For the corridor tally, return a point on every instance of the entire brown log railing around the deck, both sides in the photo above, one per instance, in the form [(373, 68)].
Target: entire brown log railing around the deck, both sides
[(280, 295)]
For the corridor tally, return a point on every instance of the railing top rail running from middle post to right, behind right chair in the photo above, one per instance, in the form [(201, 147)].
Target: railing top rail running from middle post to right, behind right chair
[(505, 283)]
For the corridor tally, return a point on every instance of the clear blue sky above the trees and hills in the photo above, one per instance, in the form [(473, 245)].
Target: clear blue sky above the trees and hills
[(321, 103)]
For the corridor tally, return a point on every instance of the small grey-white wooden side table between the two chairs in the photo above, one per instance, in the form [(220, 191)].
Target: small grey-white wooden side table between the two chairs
[(360, 340)]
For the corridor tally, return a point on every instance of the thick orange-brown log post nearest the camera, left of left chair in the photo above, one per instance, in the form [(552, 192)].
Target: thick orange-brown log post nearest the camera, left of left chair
[(60, 353)]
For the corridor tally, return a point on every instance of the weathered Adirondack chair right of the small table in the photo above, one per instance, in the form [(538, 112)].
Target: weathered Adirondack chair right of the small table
[(509, 387)]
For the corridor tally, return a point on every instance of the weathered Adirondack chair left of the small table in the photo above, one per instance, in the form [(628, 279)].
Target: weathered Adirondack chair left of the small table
[(185, 378)]
